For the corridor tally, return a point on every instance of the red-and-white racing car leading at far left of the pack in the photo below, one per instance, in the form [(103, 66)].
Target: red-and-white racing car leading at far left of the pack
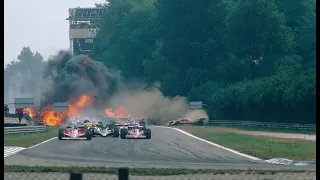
[(74, 132)]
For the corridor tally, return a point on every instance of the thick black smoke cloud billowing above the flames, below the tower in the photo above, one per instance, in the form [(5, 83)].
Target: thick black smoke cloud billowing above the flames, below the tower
[(71, 76)]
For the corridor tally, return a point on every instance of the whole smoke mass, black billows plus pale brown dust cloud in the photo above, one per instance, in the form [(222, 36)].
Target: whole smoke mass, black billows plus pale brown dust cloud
[(71, 76)]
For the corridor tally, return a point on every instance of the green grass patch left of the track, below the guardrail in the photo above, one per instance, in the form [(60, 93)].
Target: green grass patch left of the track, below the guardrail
[(29, 139)]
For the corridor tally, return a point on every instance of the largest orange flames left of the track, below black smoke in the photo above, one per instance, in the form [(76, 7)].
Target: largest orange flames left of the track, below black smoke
[(52, 118)]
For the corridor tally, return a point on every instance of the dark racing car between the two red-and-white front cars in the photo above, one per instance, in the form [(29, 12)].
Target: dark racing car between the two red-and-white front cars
[(104, 130)]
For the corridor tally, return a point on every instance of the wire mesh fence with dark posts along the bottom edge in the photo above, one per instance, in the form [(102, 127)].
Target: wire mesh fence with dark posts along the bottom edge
[(123, 174)]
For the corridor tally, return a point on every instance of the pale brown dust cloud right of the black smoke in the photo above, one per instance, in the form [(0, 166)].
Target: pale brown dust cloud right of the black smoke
[(153, 105)]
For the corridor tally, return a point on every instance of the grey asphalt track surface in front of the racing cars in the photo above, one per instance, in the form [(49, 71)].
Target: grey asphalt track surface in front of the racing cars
[(167, 148)]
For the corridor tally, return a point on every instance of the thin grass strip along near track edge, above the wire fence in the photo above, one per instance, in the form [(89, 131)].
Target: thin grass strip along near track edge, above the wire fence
[(135, 171)]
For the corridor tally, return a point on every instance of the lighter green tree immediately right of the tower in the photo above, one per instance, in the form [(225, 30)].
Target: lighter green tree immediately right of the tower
[(127, 36)]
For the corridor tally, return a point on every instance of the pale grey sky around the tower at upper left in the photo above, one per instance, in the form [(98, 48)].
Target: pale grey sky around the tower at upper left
[(38, 24)]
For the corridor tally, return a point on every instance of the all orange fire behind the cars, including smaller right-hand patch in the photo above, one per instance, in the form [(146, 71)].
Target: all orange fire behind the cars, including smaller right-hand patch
[(52, 118)]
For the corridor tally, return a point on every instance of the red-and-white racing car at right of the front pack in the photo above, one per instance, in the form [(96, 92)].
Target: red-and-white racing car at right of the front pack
[(135, 132)]
